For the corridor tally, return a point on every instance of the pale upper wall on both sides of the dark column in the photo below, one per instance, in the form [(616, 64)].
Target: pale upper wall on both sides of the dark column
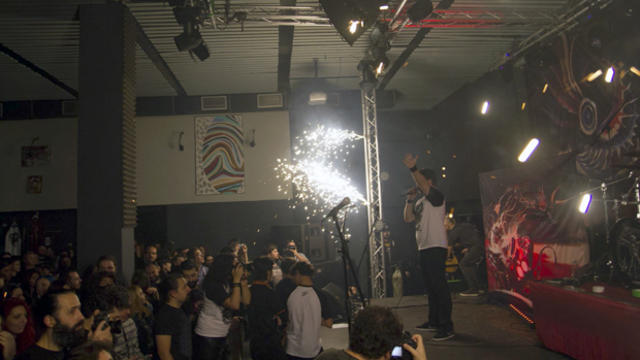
[(165, 174)]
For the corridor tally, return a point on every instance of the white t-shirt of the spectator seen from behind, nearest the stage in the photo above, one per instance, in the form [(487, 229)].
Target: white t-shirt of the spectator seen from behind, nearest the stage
[(305, 307)]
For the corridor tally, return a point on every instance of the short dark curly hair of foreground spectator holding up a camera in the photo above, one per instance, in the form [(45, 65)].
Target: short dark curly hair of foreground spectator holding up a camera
[(376, 330)]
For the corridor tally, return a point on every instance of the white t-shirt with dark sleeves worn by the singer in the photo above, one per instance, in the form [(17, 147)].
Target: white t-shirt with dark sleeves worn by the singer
[(430, 212)]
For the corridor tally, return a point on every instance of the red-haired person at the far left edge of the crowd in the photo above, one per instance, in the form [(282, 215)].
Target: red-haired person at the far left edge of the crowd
[(18, 322)]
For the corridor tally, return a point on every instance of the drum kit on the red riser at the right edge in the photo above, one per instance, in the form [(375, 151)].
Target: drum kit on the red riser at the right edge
[(621, 258)]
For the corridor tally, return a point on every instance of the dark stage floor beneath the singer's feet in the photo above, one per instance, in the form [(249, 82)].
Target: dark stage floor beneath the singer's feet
[(483, 331)]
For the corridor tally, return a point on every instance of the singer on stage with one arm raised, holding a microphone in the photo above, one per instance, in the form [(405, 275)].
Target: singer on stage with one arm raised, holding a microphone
[(426, 207)]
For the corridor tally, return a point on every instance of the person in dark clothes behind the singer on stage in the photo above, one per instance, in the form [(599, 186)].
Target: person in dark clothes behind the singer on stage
[(465, 239)]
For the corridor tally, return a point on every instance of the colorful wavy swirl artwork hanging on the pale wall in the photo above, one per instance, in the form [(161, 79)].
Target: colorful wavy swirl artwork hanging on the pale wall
[(219, 155)]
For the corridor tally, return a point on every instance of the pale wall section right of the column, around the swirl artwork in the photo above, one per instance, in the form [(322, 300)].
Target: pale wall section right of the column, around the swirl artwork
[(166, 175)]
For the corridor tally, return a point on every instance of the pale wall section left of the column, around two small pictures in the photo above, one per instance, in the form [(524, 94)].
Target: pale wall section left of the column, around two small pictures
[(59, 176)]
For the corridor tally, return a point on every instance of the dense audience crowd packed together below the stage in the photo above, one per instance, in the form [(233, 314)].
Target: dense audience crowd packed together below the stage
[(180, 304)]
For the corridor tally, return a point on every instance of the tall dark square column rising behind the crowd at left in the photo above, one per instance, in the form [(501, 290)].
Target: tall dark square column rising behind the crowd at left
[(106, 136)]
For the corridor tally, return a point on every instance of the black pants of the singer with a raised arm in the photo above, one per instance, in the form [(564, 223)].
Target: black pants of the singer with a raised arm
[(432, 261)]
